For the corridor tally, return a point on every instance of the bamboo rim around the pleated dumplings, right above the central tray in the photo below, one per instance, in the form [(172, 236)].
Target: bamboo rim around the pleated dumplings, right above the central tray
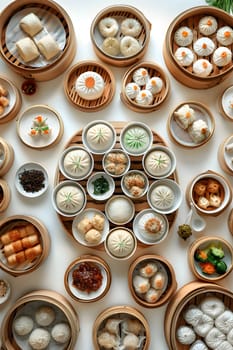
[(194, 105)]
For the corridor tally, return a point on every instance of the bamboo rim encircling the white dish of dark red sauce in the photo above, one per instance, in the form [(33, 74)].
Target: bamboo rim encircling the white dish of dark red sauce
[(91, 259)]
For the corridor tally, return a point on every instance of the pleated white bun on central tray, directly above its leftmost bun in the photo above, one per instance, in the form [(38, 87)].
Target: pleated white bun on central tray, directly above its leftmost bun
[(77, 162)]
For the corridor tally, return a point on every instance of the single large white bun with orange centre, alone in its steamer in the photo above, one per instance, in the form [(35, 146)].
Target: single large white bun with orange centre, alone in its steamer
[(90, 85)]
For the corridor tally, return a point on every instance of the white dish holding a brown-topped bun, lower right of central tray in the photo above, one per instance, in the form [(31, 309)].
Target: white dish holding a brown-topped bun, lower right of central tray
[(142, 219)]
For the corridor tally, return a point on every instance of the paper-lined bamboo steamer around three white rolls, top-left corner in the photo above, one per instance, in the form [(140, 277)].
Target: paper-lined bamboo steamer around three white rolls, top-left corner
[(55, 21)]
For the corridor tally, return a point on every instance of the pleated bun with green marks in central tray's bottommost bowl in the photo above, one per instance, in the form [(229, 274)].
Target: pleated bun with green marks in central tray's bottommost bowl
[(120, 243)]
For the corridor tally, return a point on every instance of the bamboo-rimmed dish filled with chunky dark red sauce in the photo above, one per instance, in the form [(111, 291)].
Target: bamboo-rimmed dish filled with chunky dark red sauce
[(95, 287)]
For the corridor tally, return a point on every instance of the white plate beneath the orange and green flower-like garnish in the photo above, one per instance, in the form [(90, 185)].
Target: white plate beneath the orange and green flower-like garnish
[(25, 123)]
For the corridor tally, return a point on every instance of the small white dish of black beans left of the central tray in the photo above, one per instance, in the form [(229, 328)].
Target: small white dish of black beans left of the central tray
[(27, 171)]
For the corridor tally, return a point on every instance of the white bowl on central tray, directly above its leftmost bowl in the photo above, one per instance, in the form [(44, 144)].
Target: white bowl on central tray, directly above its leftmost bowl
[(76, 175)]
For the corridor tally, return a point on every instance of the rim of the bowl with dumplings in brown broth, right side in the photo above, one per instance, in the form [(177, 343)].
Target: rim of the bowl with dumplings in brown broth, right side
[(207, 174)]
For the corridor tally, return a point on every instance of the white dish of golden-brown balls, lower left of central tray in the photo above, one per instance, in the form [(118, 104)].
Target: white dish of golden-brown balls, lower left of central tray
[(90, 227)]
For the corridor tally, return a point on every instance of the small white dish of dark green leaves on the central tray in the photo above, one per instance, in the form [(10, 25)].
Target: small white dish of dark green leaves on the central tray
[(97, 182)]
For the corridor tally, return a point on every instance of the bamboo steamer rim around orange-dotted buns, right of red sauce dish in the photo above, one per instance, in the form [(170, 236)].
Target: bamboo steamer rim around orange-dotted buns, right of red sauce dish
[(172, 283)]
